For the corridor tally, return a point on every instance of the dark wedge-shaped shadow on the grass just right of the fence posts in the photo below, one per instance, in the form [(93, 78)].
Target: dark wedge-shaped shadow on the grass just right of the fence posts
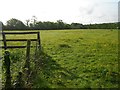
[(50, 74)]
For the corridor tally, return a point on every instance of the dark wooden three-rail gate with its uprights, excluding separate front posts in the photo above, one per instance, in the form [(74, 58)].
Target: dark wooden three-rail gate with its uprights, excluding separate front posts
[(18, 33)]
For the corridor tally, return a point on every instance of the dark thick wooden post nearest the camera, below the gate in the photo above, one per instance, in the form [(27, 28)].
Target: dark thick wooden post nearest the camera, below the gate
[(7, 72)]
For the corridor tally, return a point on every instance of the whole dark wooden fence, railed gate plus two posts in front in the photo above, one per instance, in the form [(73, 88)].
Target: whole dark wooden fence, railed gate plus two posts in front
[(7, 53)]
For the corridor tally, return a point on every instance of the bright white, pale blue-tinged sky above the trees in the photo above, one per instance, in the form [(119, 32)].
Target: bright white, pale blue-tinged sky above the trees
[(79, 11)]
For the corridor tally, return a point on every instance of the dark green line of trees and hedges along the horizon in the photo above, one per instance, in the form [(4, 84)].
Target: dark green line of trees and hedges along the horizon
[(15, 24)]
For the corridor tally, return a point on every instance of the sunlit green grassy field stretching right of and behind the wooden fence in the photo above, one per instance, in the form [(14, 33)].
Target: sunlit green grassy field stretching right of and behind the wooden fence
[(77, 59)]
